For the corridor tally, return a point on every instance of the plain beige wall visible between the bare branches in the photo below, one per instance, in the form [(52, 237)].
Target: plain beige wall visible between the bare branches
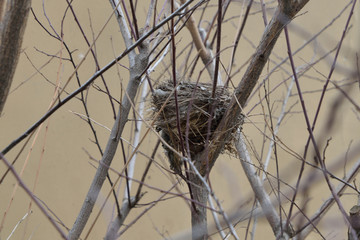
[(61, 176)]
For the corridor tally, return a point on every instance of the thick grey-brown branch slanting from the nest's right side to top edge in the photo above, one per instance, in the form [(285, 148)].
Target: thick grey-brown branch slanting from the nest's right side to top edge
[(283, 15)]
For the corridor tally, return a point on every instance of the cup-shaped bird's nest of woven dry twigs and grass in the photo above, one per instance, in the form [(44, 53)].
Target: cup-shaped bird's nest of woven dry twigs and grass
[(195, 104)]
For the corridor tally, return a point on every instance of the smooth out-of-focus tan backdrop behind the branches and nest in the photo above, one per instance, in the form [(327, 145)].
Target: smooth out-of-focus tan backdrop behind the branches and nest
[(59, 161)]
